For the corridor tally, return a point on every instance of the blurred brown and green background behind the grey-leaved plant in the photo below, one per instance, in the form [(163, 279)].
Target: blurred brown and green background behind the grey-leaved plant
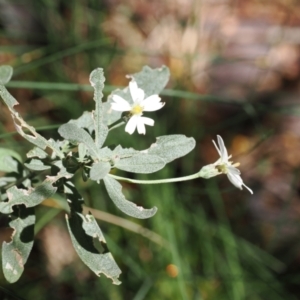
[(235, 71)]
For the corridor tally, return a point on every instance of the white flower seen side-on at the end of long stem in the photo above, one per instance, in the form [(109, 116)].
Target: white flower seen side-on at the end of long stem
[(223, 165)]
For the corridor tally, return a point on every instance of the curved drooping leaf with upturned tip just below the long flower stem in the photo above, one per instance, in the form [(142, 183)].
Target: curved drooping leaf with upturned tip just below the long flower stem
[(114, 190)]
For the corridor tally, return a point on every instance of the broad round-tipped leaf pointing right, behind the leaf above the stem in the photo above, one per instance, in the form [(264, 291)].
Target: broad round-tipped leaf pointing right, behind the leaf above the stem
[(170, 147)]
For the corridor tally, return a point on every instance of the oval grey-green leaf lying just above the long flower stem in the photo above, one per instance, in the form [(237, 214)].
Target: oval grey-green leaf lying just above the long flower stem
[(140, 163)]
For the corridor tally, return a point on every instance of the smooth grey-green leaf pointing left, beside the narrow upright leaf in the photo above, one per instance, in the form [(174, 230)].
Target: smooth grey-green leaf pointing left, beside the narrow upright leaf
[(73, 133)]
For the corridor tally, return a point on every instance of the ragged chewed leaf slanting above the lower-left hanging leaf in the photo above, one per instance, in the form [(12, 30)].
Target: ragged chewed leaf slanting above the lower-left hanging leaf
[(29, 198)]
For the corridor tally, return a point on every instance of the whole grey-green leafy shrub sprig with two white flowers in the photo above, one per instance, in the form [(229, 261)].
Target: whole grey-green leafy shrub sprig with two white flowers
[(51, 164)]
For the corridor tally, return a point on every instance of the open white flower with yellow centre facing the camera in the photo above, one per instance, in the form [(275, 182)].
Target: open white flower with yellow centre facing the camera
[(137, 108)]
